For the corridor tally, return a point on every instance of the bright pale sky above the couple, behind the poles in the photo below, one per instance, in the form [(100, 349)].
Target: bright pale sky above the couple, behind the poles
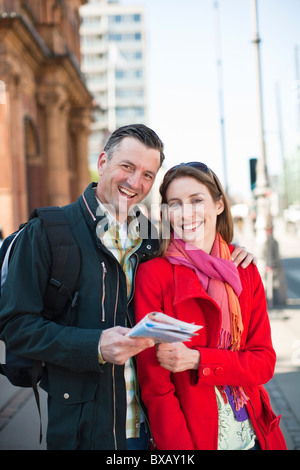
[(183, 85)]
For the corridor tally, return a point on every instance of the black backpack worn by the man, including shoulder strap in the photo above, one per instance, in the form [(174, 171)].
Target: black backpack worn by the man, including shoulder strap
[(61, 291)]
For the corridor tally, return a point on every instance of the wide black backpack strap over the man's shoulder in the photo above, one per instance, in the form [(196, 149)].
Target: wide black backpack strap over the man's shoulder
[(66, 262)]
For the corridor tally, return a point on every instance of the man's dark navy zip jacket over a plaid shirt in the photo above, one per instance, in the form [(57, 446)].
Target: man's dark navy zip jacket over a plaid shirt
[(86, 401)]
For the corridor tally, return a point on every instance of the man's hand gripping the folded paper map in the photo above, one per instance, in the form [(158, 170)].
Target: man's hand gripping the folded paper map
[(116, 347)]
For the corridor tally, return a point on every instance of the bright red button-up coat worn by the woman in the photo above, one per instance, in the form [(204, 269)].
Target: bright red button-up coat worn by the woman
[(182, 406)]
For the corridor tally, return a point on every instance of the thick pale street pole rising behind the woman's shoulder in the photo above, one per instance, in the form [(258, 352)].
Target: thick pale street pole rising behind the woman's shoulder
[(267, 247)]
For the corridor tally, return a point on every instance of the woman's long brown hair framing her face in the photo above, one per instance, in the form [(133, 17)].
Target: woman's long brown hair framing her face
[(206, 176)]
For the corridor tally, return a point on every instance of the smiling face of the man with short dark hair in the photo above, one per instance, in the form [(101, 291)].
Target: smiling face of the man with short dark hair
[(126, 179)]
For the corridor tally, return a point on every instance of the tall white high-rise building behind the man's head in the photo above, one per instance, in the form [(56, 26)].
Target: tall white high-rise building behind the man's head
[(113, 48)]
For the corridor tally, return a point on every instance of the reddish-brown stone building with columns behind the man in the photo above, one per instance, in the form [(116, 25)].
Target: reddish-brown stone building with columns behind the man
[(45, 108)]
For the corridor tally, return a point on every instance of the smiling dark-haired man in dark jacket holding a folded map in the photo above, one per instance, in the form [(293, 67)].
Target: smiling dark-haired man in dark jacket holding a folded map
[(93, 399)]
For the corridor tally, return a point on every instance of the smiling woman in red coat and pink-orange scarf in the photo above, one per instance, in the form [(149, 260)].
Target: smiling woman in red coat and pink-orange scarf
[(207, 393)]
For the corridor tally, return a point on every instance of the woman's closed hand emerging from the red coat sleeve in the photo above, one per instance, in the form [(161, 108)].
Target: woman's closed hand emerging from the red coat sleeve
[(176, 357)]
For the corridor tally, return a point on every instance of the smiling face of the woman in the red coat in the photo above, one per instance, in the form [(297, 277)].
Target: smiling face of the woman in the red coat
[(193, 212)]
